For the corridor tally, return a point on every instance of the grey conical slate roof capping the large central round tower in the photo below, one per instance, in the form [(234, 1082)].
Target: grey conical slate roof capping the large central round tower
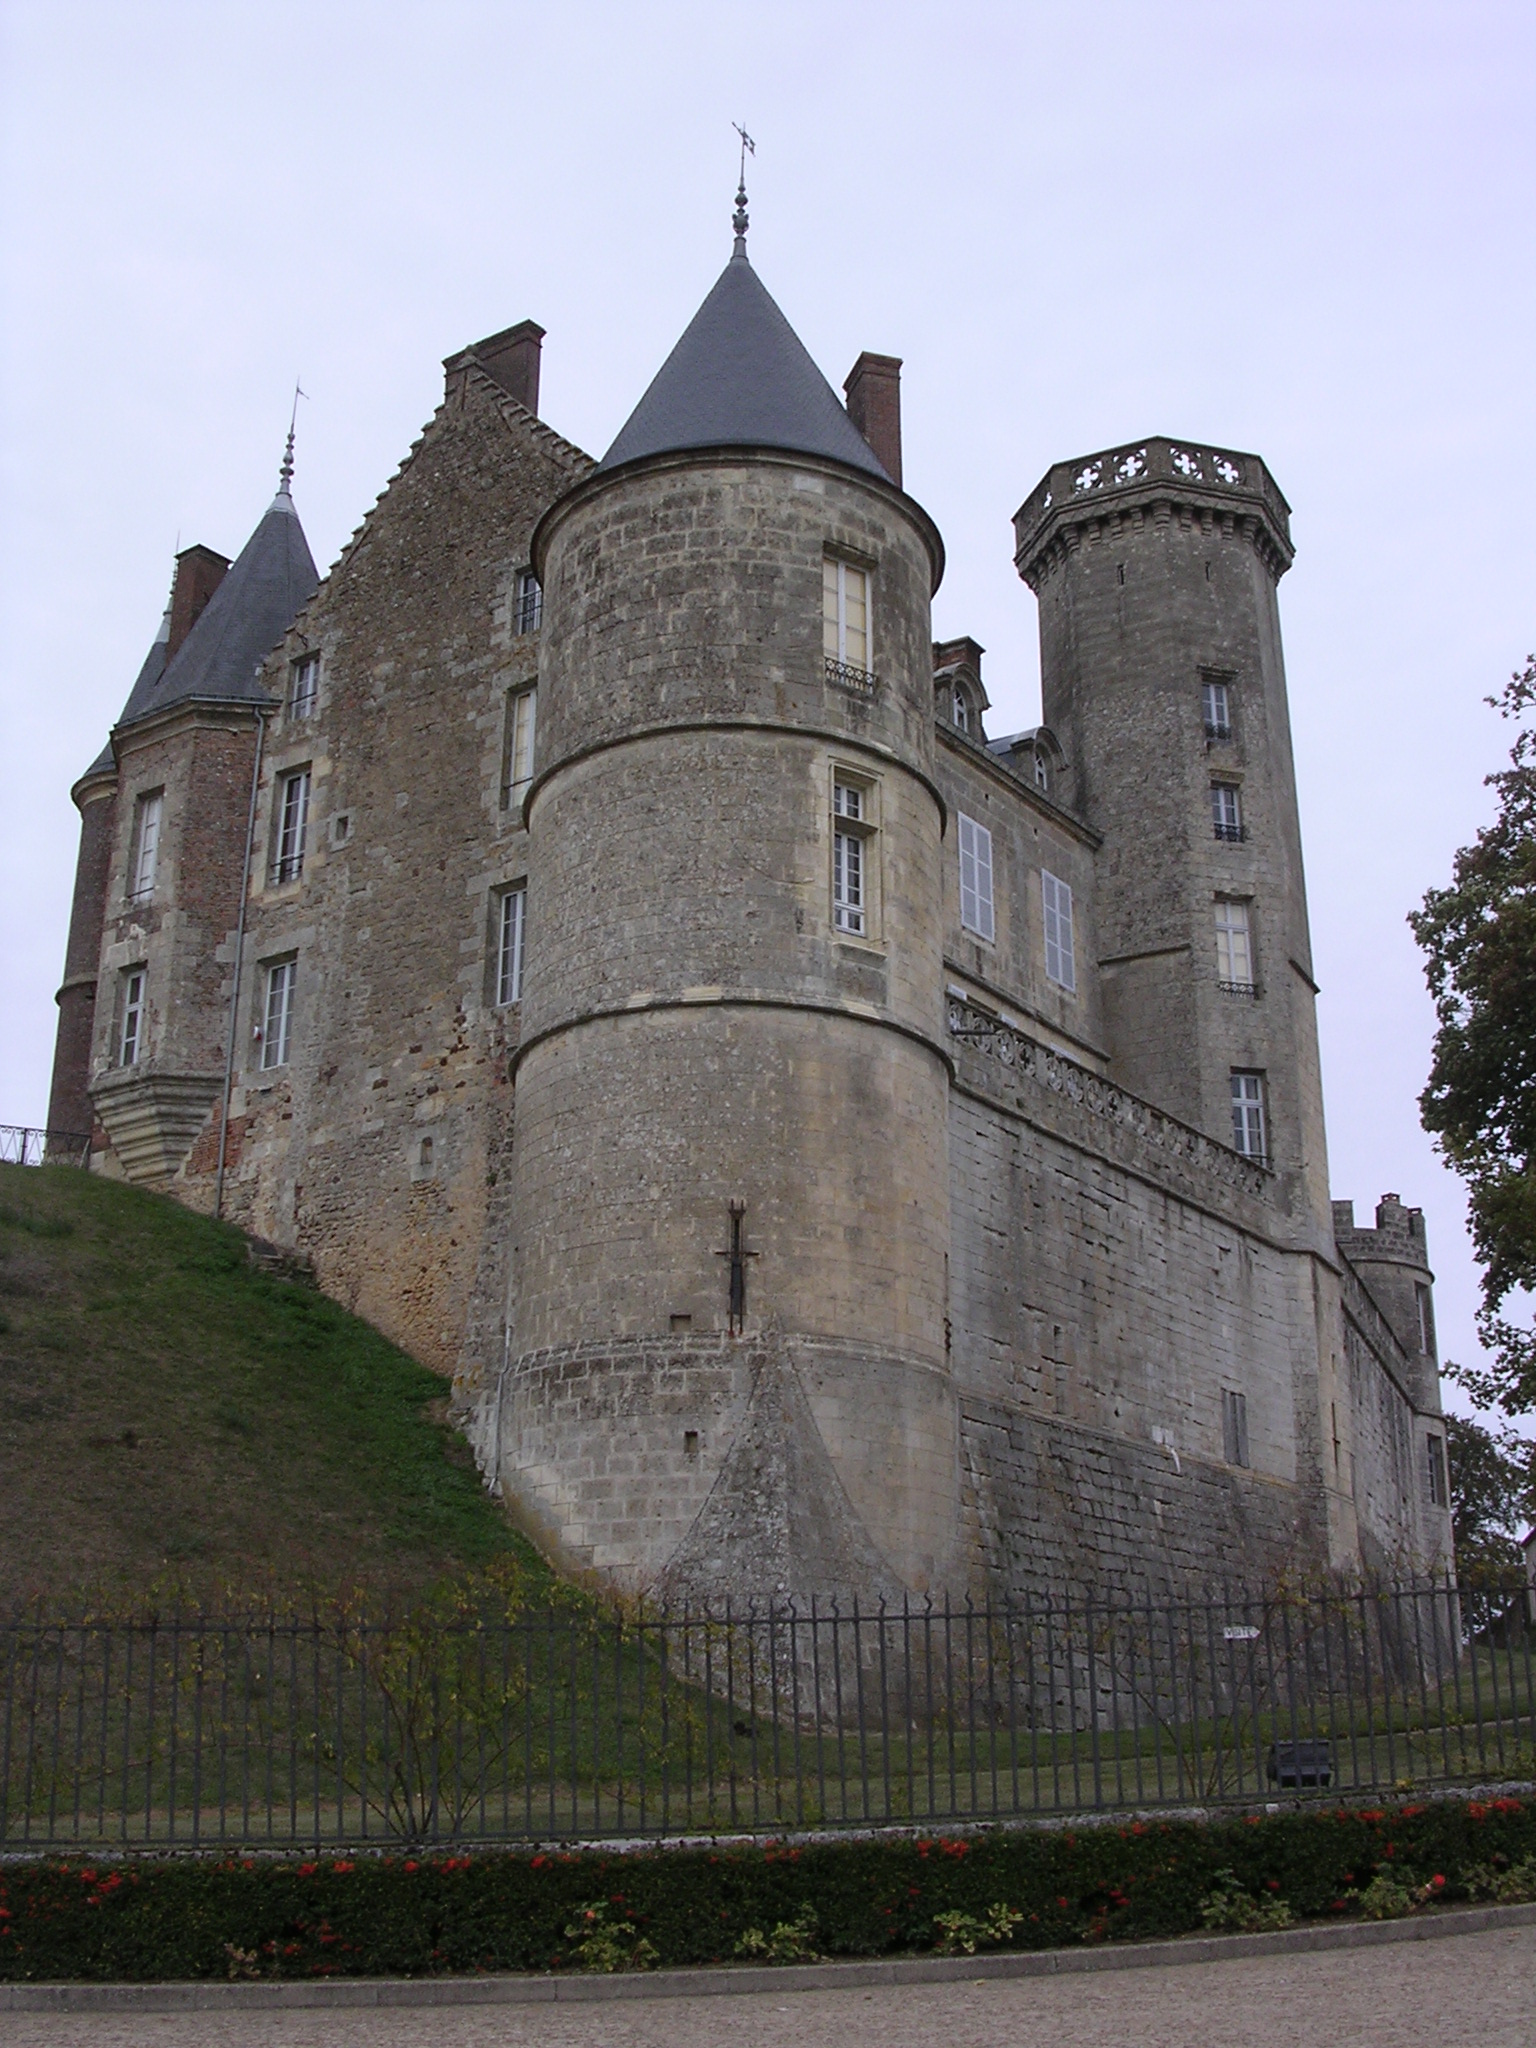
[(740, 378)]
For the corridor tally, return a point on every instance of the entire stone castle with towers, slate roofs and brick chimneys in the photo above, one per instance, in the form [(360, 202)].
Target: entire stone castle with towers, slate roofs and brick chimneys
[(833, 1150)]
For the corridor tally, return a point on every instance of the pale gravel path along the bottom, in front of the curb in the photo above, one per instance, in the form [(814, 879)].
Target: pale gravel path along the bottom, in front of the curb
[(1478, 1992)]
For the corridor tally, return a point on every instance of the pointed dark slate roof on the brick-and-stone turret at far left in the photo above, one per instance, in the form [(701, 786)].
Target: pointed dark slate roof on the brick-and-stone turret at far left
[(245, 620)]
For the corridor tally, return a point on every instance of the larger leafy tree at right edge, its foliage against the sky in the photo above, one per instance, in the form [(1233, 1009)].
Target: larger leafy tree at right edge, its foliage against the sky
[(1480, 941)]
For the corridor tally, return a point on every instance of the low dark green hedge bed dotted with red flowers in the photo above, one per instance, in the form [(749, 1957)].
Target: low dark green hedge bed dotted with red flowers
[(503, 1910)]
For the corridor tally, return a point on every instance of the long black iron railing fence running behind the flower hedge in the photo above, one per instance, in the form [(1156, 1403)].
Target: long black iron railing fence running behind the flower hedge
[(579, 1725)]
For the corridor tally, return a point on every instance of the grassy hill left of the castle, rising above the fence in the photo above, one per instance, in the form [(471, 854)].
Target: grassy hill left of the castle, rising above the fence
[(173, 1414)]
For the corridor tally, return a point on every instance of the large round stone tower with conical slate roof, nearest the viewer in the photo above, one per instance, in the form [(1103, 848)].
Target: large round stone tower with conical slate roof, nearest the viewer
[(726, 1322)]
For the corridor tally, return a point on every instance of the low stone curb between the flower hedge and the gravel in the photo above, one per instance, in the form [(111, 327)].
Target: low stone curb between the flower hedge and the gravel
[(732, 1981)]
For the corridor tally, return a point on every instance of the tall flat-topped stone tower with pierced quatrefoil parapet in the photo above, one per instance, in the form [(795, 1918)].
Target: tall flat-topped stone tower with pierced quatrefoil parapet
[(1160, 650)]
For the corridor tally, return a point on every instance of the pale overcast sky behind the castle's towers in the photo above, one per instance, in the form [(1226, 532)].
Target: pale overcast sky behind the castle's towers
[(1297, 230)]
